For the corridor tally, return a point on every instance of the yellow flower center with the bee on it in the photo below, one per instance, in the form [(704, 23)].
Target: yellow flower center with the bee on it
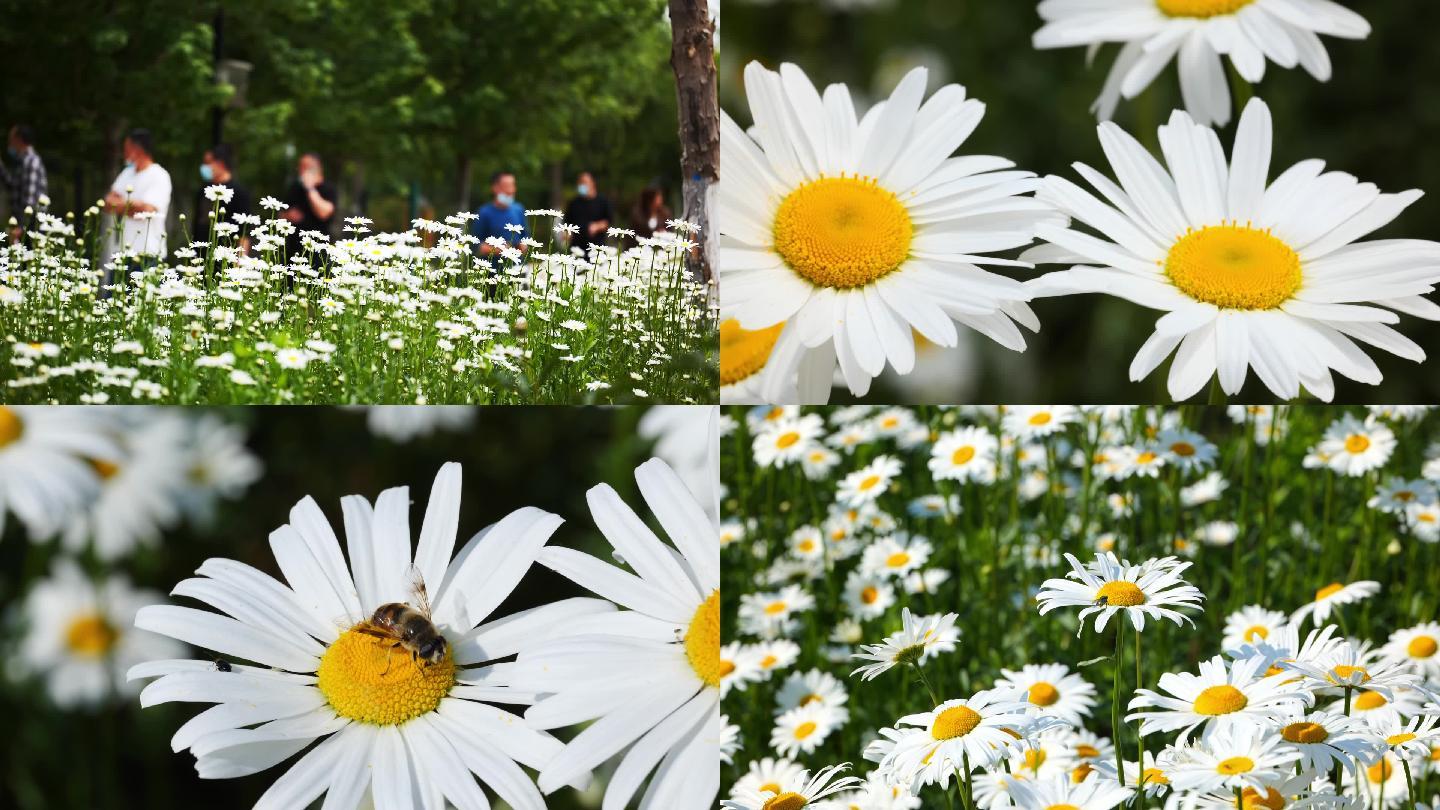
[(369, 680)]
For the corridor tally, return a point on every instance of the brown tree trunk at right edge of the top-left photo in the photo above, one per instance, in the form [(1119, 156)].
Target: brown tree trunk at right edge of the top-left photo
[(692, 55)]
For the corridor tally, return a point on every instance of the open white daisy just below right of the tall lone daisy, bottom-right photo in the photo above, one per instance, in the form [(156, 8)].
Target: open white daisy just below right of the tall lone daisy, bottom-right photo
[(1220, 698)]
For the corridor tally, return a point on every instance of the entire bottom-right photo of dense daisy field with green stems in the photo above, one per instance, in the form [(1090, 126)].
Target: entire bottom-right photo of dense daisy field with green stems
[(1081, 607)]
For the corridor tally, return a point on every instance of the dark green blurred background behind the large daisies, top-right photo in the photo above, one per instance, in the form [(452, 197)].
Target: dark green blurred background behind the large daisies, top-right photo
[(1377, 119)]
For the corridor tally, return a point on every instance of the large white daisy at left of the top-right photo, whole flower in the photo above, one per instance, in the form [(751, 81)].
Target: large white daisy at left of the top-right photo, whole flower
[(856, 234)]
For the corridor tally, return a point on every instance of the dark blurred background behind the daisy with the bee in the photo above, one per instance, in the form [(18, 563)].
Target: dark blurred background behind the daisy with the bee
[(114, 755)]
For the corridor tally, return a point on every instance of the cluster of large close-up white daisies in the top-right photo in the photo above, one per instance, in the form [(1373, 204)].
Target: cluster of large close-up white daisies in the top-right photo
[(852, 239)]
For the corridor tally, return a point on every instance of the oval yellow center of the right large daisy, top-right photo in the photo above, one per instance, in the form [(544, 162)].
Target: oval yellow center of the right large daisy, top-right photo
[(1233, 267)]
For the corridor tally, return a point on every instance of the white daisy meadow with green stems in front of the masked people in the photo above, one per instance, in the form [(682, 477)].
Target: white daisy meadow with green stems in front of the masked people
[(408, 318)]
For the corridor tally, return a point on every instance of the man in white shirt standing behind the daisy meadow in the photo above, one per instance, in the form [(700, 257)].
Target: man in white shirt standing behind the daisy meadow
[(139, 202)]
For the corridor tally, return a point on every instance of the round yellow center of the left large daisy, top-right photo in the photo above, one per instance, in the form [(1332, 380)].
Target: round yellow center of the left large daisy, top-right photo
[(843, 233)]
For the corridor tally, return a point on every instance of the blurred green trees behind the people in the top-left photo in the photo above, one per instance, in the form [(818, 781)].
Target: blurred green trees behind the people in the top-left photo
[(413, 106)]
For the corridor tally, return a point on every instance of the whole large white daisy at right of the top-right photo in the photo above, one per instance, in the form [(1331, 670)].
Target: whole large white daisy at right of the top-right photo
[(1249, 276)]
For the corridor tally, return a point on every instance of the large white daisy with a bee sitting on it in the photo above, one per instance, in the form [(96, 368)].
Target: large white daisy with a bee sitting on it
[(381, 717)]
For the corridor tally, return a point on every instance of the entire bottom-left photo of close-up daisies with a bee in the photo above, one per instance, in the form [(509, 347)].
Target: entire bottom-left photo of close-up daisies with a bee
[(202, 612)]
